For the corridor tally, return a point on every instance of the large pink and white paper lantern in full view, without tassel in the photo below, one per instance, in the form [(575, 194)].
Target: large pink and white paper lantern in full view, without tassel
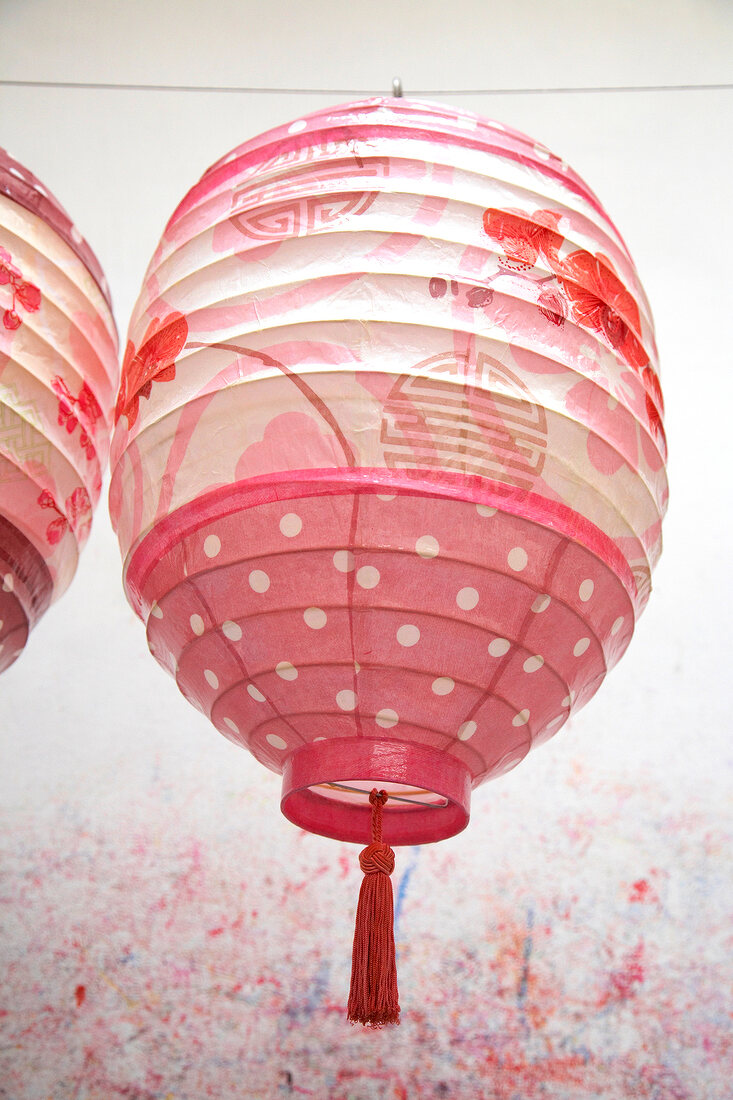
[(389, 471)]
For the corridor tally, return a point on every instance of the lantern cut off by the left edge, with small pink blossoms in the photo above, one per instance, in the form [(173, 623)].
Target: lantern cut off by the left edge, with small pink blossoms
[(59, 375)]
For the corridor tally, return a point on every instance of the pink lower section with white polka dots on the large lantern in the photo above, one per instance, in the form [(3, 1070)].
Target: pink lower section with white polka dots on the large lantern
[(422, 642)]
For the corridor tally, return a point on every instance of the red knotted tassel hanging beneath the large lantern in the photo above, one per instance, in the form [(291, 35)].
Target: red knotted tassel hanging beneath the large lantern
[(374, 999)]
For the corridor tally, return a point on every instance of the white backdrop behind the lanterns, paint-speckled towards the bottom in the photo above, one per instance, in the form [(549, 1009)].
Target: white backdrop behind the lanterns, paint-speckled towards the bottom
[(97, 744)]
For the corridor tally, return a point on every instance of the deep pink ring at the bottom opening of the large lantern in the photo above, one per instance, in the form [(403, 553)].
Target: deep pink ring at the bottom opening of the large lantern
[(326, 790)]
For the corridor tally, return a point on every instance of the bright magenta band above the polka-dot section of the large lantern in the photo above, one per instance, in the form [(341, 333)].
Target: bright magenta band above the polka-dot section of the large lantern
[(299, 483)]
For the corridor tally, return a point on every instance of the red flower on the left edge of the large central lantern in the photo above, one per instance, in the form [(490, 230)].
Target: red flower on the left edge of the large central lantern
[(155, 361)]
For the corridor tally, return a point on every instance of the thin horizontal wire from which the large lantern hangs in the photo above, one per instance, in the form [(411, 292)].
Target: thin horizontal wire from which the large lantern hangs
[(418, 93)]
